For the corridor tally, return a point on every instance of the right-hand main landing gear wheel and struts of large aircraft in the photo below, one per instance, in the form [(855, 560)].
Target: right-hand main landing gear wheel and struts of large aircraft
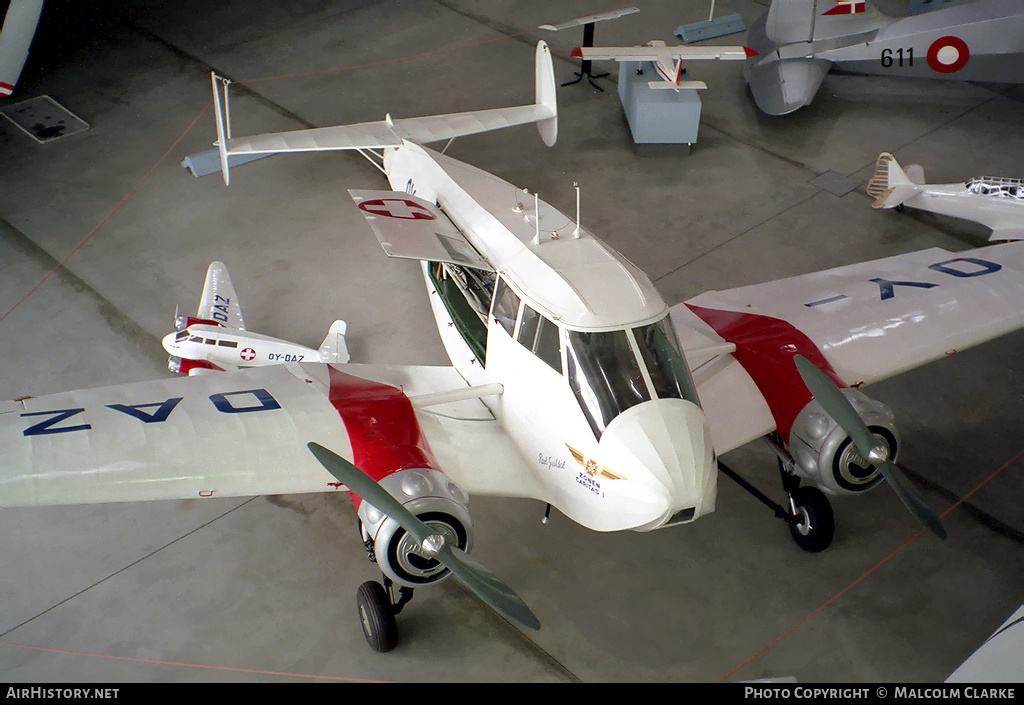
[(809, 516)]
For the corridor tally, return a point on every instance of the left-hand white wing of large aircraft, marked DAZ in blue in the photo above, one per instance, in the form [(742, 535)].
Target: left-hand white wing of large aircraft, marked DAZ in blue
[(238, 434)]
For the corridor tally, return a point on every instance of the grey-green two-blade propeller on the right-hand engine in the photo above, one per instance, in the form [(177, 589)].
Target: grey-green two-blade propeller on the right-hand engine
[(838, 406)]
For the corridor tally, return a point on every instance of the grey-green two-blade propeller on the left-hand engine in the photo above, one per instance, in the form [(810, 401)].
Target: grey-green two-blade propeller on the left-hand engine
[(486, 585)]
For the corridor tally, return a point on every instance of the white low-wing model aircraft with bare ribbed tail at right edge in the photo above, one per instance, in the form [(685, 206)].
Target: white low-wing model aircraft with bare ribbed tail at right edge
[(996, 202)]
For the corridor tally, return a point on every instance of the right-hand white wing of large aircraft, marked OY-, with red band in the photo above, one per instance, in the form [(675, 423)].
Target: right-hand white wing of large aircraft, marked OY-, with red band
[(869, 322)]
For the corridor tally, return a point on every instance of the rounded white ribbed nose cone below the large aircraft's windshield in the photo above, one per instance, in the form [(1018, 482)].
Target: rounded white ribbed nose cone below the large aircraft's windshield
[(664, 449)]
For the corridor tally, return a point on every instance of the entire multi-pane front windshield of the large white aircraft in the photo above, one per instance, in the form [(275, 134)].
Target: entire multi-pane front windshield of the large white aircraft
[(612, 371)]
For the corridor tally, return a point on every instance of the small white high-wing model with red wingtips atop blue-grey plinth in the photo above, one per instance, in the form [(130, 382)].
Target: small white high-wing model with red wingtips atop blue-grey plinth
[(668, 61)]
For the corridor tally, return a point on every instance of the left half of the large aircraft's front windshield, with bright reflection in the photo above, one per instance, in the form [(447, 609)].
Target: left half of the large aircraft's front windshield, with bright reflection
[(605, 376)]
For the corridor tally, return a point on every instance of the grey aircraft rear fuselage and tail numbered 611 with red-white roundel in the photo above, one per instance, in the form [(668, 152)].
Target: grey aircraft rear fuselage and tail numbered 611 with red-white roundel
[(799, 42)]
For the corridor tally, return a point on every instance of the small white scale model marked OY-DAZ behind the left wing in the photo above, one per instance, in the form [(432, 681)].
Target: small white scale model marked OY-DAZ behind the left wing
[(217, 340)]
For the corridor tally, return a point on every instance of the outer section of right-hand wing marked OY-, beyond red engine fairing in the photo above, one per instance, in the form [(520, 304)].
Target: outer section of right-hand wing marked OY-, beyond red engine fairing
[(876, 320)]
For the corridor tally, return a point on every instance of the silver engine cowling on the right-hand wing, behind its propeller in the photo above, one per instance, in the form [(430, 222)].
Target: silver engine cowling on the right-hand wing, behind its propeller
[(824, 454)]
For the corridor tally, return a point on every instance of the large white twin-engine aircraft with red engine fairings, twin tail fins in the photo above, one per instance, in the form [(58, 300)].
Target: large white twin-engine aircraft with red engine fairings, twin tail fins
[(572, 382)]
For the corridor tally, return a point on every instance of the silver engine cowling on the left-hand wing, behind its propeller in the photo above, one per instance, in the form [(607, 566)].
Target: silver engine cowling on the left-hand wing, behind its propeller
[(440, 504)]
